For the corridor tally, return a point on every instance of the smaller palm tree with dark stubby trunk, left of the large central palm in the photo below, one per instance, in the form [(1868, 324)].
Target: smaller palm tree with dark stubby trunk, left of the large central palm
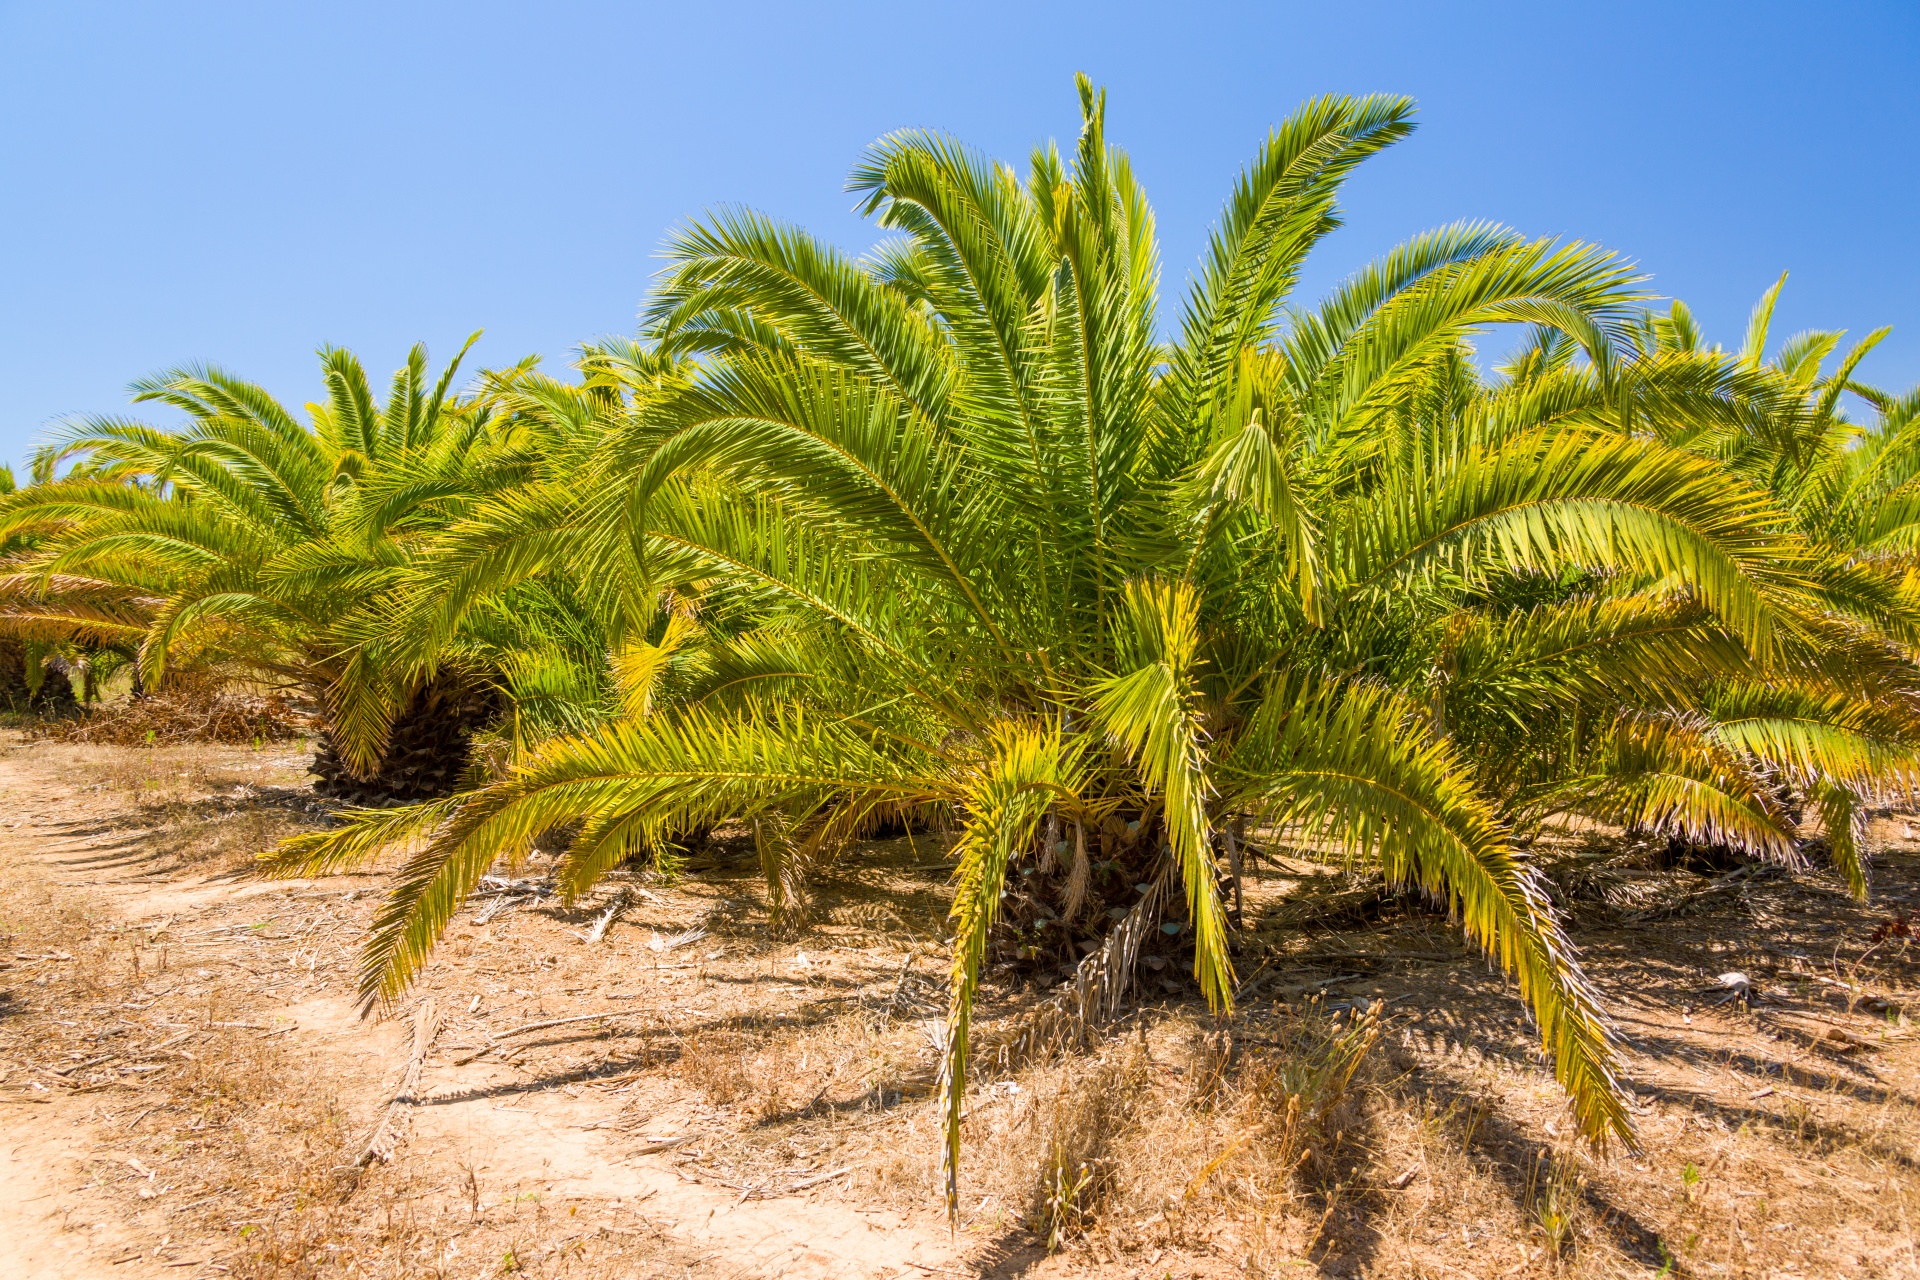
[(262, 542)]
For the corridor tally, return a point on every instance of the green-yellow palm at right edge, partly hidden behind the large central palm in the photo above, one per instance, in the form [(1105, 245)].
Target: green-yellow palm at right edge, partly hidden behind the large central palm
[(1729, 744)]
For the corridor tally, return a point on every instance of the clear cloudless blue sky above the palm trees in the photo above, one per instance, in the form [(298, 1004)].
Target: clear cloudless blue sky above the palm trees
[(241, 183)]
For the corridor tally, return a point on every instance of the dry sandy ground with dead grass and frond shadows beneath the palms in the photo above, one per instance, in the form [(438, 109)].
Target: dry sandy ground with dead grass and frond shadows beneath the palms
[(187, 1089)]
